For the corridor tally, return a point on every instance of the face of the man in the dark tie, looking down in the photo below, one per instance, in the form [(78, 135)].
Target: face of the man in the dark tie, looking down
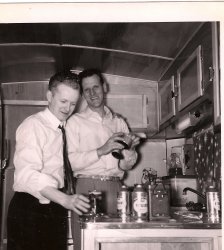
[(62, 101)]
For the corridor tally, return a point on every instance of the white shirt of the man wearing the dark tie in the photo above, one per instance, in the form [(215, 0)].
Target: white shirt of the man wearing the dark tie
[(38, 155)]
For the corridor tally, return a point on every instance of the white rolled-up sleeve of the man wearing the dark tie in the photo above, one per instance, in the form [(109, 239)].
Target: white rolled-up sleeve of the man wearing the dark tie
[(29, 163)]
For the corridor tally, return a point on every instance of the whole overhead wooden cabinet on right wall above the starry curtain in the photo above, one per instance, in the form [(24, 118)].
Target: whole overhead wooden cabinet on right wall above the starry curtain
[(193, 76)]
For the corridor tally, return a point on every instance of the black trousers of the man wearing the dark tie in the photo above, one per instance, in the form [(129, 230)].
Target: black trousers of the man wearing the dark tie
[(35, 226)]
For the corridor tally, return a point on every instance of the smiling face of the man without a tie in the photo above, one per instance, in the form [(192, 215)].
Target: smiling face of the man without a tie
[(93, 91)]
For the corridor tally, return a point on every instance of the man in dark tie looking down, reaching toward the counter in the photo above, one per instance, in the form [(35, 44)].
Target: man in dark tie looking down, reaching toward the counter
[(37, 212)]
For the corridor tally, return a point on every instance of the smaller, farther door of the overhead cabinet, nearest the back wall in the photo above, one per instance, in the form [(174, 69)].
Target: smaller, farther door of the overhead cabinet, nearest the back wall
[(167, 101)]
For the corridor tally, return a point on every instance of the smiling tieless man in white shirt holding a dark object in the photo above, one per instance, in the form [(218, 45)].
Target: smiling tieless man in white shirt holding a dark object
[(92, 136)]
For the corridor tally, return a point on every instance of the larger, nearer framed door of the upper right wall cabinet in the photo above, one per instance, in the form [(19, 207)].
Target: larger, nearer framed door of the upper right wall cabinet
[(189, 79)]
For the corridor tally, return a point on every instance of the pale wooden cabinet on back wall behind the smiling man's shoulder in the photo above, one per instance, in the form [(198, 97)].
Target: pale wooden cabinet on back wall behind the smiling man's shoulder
[(136, 100)]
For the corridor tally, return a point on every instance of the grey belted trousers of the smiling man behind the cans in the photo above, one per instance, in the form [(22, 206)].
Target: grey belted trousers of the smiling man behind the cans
[(108, 205)]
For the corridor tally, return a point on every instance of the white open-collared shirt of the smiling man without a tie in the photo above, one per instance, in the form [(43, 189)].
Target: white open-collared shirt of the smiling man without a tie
[(88, 131)]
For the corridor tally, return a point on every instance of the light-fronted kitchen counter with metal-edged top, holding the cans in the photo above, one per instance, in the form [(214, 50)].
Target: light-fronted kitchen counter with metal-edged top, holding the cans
[(109, 233)]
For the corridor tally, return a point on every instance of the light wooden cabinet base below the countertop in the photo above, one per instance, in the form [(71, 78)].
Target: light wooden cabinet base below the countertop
[(151, 239)]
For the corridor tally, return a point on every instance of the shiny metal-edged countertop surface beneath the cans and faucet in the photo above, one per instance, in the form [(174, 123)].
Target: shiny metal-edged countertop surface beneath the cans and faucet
[(177, 222)]
